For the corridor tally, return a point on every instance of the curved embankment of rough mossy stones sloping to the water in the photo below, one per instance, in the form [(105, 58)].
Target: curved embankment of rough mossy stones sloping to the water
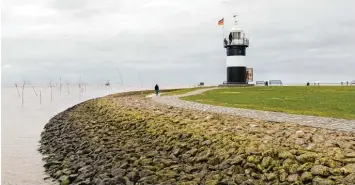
[(128, 139)]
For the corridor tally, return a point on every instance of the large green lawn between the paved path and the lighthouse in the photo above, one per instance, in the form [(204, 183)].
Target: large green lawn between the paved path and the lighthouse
[(338, 102)]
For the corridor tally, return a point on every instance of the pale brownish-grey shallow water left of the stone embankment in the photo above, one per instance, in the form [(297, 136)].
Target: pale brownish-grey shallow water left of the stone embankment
[(22, 125)]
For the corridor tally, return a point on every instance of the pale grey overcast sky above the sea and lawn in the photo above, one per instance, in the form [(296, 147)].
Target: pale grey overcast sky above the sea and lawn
[(174, 42)]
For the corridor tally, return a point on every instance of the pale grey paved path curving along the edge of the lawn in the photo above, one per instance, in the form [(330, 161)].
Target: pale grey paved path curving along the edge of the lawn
[(313, 121)]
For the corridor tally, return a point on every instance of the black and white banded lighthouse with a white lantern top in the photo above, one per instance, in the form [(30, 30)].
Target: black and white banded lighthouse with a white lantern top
[(236, 45)]
